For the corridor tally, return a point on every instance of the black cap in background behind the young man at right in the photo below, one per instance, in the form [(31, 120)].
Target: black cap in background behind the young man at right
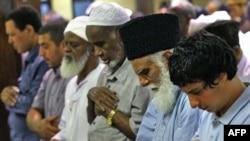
[(227, 30)]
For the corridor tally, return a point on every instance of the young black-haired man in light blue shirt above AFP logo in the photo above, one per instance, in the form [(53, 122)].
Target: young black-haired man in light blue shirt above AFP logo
[(204, 66)]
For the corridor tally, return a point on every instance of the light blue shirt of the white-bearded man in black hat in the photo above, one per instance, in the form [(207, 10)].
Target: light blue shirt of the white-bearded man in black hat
[(178, 125)]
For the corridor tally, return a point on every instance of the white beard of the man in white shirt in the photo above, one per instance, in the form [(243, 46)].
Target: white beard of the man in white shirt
[(71, 67)]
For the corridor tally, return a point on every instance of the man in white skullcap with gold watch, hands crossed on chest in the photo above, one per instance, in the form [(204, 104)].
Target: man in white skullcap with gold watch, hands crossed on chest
[(116, 107)]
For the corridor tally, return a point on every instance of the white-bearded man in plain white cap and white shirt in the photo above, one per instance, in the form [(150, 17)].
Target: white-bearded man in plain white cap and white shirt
[(79, 59)]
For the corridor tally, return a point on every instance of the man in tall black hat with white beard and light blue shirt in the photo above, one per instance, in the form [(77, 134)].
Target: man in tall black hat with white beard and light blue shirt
[(148, 42)]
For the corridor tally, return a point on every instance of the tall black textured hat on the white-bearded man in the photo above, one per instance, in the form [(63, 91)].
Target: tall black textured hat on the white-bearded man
[(149, 34)]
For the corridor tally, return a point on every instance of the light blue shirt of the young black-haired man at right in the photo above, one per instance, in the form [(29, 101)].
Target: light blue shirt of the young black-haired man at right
[(211, 127)]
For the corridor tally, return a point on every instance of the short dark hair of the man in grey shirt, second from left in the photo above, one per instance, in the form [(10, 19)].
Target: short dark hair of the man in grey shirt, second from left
[(55, 29)]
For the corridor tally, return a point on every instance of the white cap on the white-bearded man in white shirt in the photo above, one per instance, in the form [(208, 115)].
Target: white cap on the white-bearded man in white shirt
[(78, 26)]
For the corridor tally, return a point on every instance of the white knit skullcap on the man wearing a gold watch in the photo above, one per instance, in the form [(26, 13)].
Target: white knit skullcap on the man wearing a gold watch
[(108, 14)]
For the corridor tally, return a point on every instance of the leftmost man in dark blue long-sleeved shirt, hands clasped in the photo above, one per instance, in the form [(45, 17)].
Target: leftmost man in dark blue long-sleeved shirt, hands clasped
[(22, 25)]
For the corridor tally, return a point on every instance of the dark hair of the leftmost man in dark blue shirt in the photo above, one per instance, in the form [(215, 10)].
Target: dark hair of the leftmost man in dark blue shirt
[(25, 15)]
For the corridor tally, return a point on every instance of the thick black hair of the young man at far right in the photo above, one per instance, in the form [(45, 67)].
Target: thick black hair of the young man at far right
[(201, 57)]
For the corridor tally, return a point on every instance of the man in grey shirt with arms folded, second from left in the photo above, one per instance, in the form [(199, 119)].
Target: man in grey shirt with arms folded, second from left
[(46, 110)]
